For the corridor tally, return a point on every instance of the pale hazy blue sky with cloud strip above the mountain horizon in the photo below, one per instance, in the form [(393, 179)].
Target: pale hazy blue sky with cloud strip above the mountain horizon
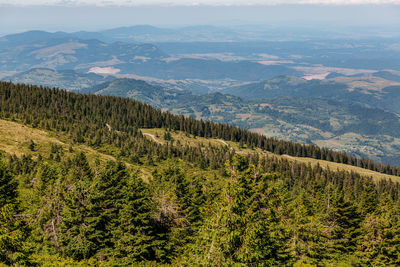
[(93, 15)]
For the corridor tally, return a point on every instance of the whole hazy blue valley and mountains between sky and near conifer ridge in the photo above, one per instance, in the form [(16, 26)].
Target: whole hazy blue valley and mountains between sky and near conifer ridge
[(341, 91)]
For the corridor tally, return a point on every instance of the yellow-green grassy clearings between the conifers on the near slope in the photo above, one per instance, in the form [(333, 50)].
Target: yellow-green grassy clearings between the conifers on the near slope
[(15, 139)]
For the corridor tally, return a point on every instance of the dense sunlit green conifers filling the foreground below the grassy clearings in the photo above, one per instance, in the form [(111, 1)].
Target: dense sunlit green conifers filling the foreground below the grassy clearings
[(260, 211)]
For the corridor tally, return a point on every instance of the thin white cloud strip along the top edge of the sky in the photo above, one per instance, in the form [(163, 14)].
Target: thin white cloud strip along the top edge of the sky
[(188, 2)]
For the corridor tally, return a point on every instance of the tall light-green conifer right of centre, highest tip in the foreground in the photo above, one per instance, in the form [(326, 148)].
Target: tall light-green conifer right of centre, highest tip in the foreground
[(243, 229)]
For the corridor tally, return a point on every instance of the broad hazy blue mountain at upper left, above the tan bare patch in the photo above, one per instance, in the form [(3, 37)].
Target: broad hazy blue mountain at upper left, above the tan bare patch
[(61, 51)]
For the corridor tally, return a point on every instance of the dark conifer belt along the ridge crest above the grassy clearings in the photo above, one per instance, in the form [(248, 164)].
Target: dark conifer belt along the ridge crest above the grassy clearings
[(101, 119)]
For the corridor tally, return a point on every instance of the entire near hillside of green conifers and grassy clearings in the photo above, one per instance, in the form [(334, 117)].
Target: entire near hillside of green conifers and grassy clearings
[(90, 188)]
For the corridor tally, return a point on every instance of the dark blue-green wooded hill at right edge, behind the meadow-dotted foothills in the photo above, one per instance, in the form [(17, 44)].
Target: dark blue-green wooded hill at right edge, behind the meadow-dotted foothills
[(348, 90)]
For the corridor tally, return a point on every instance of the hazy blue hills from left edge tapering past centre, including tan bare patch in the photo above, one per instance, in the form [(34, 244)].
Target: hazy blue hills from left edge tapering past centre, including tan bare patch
[(63, 51)]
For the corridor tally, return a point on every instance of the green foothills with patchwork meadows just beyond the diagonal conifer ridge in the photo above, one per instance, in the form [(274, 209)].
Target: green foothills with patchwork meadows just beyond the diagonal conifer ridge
[(357, 129)]
